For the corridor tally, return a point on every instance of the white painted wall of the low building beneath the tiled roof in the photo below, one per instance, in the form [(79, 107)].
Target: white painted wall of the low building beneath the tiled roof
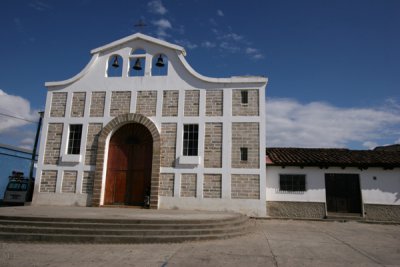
[(385, 189)]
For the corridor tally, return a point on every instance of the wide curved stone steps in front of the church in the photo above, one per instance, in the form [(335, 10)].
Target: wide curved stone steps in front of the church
[(90, 230)]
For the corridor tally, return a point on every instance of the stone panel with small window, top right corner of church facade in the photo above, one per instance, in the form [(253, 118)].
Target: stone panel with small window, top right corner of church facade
[(250, 109)]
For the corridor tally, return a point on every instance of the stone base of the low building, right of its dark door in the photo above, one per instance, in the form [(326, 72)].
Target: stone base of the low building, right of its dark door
[(377, 212)]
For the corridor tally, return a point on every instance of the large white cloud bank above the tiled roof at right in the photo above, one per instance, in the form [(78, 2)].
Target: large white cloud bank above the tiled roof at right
[(317, 124)]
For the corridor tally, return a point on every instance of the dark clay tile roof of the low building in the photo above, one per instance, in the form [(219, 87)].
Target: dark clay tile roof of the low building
[(326, 157)]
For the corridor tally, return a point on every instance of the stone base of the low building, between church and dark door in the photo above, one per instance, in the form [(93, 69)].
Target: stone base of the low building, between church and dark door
[(291, 209)]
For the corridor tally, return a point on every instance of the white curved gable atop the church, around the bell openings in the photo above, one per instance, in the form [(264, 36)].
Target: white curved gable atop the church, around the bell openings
[(178, 69)]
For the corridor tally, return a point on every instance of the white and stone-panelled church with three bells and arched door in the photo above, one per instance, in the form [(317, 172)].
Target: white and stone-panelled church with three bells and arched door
[(138, 126)]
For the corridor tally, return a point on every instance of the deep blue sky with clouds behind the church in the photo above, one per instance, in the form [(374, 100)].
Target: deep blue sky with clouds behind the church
[(333, 66)]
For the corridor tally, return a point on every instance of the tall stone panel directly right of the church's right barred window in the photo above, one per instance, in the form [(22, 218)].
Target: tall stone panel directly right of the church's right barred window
[(213, 145)]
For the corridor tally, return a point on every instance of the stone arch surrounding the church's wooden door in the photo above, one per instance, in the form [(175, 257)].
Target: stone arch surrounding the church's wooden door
[(113, 125)]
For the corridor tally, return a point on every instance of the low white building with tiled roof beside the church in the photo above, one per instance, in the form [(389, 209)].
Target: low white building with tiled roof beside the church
[(316, 183)]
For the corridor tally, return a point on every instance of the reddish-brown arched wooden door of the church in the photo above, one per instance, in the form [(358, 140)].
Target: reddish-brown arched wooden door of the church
[(129, 165)]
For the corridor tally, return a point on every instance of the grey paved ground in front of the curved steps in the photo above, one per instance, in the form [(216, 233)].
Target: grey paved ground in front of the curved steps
[(273, 243)]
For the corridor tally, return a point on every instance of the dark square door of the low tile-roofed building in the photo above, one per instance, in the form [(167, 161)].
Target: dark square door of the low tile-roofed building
[(343, 193)]
